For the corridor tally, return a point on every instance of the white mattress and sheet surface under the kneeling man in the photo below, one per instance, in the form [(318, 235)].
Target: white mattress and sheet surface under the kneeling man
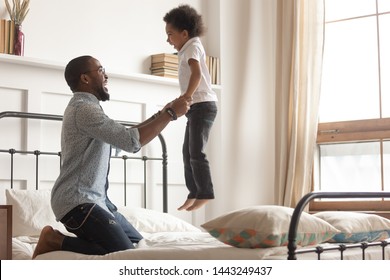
[(185, 246)]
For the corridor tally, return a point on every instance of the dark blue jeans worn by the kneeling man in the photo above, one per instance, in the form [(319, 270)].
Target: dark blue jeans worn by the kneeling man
[(97, 231)]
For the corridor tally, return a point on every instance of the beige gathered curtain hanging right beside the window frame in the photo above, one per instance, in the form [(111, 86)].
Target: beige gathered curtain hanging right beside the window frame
[(298, 75)]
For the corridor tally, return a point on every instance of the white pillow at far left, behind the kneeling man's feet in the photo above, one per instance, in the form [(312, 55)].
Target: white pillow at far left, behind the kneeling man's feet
[(31, 211)]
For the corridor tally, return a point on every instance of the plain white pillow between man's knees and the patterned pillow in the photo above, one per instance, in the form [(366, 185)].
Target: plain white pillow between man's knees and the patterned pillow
[(146, 220)]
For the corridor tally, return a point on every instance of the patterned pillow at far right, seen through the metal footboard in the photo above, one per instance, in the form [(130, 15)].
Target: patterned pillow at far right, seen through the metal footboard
[(356, 227)]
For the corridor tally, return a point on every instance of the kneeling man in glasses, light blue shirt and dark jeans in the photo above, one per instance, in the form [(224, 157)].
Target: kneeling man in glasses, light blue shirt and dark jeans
[(79, 196)]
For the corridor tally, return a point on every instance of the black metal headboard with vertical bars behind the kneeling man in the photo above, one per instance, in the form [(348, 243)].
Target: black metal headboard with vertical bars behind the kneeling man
[(37, 153)]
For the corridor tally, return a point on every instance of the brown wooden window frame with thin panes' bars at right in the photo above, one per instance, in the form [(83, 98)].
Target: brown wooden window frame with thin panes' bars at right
[(356, 131)]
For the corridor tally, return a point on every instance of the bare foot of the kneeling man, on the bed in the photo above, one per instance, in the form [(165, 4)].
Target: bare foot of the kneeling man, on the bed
[(49, 240)]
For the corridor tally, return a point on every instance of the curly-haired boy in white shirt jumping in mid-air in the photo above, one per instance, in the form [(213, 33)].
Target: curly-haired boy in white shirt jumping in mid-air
[(184, 26)]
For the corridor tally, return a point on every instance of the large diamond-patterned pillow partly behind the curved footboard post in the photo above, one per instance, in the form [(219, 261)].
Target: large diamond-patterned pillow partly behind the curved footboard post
[(267, 226)]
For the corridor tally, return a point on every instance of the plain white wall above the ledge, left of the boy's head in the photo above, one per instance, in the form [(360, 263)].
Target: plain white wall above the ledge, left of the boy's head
[(121, 33)]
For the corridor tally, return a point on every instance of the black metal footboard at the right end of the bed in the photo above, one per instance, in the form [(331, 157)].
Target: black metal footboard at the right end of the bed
[(292, 247)]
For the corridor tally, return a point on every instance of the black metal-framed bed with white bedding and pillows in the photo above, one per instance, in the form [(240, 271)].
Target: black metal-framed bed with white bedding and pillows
[(257, 232)]
